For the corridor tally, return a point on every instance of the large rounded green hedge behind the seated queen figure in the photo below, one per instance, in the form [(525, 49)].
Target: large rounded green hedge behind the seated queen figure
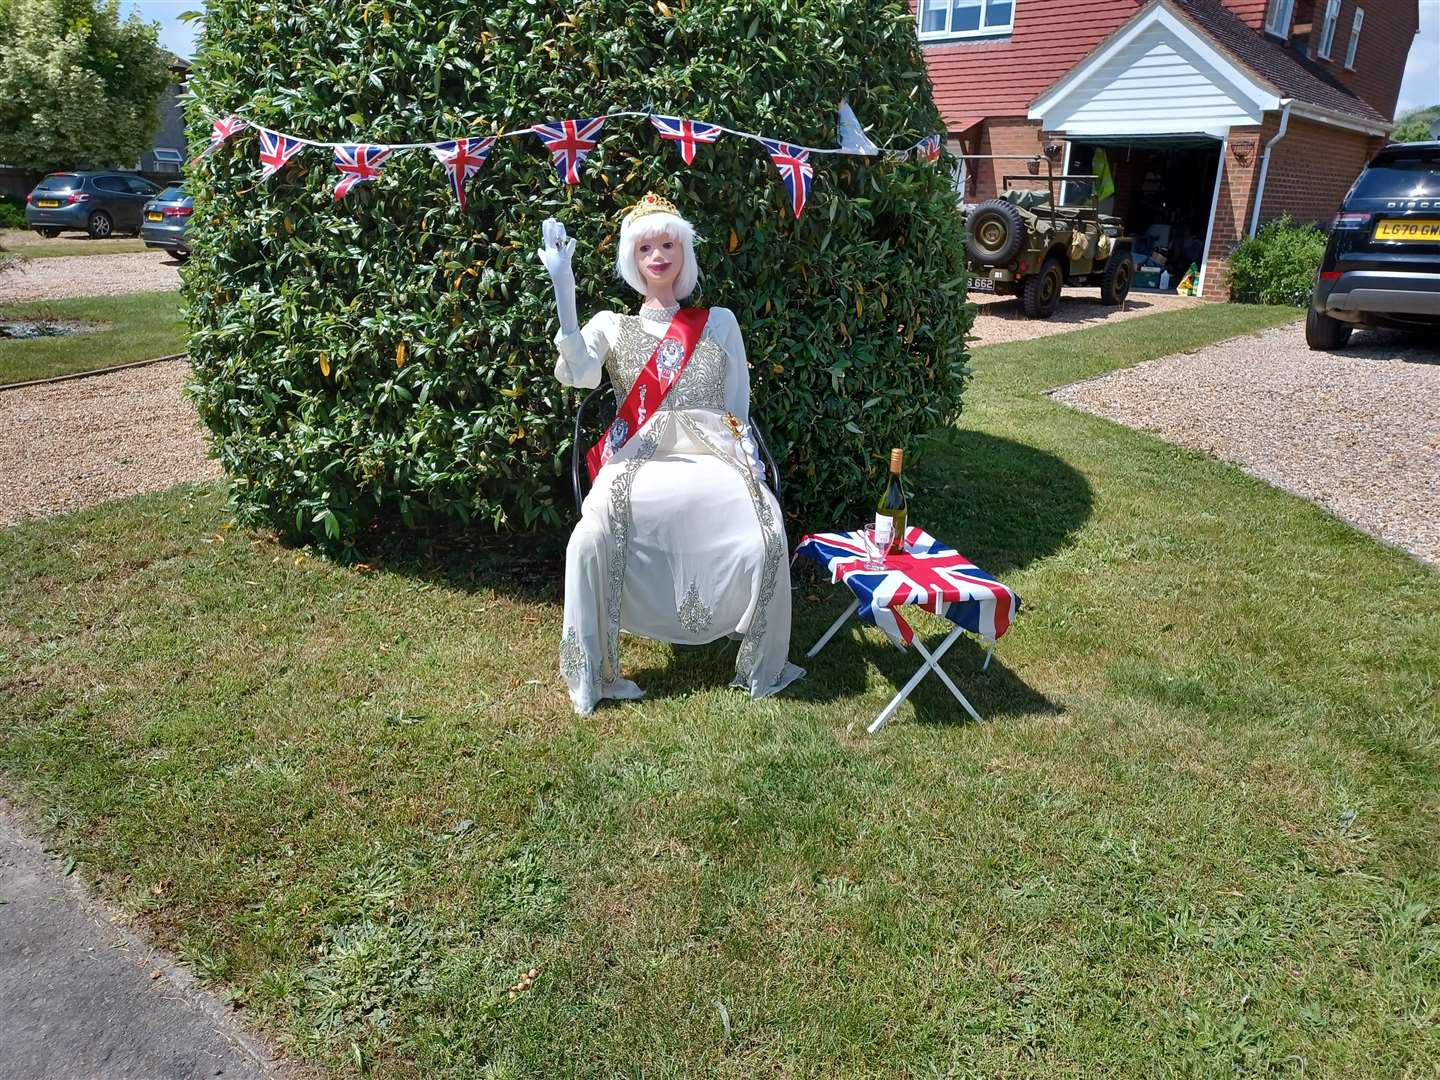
[(390, 358)]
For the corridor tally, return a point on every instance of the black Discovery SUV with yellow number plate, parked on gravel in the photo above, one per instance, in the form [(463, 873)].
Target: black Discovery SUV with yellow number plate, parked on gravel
[(1382, 266)]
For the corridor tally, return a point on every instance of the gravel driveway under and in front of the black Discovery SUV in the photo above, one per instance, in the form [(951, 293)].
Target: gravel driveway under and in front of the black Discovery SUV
[(1356, 431)]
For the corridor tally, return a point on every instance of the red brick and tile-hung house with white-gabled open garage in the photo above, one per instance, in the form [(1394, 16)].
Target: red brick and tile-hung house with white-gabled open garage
[(1212, 116)]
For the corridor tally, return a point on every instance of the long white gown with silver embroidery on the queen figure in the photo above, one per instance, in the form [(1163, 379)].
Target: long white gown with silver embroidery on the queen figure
[(680, 539)]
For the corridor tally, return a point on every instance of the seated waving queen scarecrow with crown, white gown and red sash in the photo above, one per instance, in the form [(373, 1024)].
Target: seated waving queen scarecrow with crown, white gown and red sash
[(680, 539)]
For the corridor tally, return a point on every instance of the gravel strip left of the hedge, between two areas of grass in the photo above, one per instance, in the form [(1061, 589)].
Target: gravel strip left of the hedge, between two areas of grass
[(74, 444)]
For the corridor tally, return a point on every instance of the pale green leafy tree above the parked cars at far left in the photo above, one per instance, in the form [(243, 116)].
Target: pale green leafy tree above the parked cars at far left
[(78, 87)]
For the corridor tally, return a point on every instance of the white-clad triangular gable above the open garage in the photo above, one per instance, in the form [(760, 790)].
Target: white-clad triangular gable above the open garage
[(1157, 76)]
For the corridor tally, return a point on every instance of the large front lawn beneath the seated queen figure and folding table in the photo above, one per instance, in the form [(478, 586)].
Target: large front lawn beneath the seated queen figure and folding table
[(1197, 836)]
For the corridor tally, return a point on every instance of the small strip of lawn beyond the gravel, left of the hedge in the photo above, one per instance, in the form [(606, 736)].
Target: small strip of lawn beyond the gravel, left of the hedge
[(136, 328)]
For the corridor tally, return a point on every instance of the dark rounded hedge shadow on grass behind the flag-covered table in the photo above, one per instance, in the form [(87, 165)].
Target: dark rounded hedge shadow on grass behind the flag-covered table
[(999, 502)]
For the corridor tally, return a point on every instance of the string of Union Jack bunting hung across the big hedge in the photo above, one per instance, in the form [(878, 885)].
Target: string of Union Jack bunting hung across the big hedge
[(570, 142)]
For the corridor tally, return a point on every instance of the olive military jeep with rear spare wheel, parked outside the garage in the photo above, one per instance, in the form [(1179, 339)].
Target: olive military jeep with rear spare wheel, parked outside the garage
[(1027, 246)]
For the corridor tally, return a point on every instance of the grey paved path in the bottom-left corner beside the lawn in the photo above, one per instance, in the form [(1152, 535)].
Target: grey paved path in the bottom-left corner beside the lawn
[(83, 999)]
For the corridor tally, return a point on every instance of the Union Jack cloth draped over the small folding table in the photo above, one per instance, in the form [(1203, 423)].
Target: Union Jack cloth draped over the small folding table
[(930, 575)]
